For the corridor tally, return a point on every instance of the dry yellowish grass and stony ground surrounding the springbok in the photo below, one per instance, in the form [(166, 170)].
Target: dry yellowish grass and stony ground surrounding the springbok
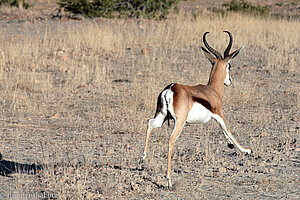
[(76, 96)]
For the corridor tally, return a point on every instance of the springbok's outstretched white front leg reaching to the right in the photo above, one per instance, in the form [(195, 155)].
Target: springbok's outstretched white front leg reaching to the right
[(231, 140)]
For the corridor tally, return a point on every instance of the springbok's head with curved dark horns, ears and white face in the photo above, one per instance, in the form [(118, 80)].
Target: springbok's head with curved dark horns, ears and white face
[(219, 62)]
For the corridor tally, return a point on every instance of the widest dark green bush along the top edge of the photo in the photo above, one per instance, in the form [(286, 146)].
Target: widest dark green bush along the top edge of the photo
[(151, 9)]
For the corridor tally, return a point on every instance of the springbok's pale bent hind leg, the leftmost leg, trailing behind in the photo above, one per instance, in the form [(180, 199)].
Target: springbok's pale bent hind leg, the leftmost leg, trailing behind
[(152, 123)]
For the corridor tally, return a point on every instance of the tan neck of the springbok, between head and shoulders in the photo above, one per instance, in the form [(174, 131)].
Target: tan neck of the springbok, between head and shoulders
[(216, 81)]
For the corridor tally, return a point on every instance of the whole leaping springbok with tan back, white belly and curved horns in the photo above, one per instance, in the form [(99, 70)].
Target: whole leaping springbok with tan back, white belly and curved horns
[(196, 104)]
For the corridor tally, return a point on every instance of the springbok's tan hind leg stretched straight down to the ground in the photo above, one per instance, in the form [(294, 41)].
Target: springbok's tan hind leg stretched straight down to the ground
[(175, 134)]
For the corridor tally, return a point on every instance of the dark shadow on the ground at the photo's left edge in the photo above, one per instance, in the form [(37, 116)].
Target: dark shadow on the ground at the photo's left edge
[(8, 167)]
